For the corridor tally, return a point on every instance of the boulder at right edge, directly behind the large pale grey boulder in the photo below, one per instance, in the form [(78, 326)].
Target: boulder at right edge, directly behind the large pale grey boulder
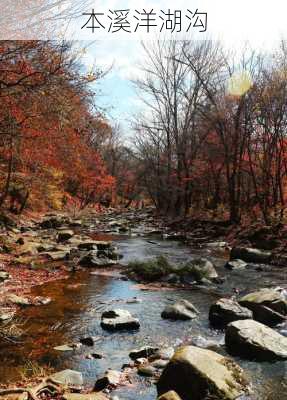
[(268, 306)]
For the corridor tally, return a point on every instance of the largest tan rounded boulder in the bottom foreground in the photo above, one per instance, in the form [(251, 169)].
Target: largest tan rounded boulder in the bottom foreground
[(194, 373)]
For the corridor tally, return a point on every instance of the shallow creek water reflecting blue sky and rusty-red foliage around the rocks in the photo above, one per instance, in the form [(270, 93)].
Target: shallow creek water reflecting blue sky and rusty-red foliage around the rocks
[(78, 302)]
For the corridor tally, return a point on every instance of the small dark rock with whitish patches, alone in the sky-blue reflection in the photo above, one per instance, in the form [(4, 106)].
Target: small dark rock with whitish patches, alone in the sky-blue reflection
[(114, 320)]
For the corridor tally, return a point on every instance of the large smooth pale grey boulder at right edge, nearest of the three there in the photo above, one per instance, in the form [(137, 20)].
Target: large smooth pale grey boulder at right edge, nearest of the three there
[(254, 340)]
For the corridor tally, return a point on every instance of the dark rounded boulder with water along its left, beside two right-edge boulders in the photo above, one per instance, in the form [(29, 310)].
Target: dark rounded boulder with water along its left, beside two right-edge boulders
[(225, 311)]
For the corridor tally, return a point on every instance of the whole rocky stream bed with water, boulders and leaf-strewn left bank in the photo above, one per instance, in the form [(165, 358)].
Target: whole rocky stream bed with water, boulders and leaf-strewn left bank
[(215, 335)]
